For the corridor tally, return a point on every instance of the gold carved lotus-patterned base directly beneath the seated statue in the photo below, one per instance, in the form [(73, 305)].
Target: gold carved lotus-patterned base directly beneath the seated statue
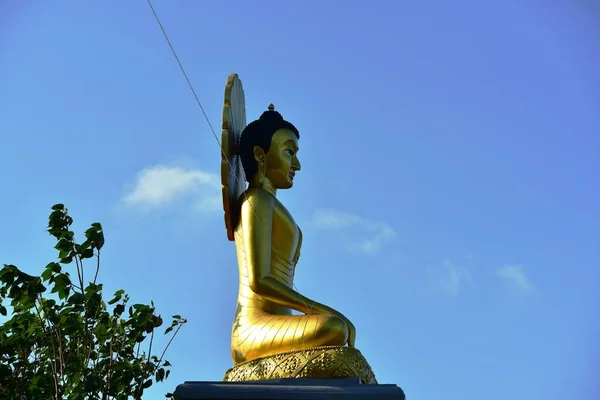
[(319, 362)]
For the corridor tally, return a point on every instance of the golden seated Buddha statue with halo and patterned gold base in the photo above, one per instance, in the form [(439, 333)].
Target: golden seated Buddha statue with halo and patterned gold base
[(267, 340)]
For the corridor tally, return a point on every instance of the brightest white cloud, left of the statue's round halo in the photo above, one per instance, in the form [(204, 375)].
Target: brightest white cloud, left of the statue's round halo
[(161, 185)]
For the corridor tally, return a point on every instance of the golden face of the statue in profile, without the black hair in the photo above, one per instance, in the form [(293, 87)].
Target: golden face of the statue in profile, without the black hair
[(281, 161)]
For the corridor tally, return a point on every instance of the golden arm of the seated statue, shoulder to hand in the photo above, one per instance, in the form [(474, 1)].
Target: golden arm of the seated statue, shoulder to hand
[(257, 221)]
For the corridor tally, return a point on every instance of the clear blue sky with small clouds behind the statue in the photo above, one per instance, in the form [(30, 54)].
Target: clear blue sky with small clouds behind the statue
[(448, 197)]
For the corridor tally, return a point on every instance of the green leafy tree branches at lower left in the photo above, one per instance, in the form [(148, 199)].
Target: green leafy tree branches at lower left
[(63, 341)]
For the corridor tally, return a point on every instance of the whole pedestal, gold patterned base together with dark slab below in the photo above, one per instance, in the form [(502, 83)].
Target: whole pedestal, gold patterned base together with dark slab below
[(328, 372)]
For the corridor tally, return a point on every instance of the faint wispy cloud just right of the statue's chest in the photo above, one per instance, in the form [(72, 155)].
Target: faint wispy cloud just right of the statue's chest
[(379, 233)]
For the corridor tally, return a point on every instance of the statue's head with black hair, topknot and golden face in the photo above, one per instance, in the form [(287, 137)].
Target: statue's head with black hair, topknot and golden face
[(268, 149)]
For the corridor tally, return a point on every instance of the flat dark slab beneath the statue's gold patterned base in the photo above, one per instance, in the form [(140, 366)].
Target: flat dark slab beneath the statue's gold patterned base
[(289, 389)]
